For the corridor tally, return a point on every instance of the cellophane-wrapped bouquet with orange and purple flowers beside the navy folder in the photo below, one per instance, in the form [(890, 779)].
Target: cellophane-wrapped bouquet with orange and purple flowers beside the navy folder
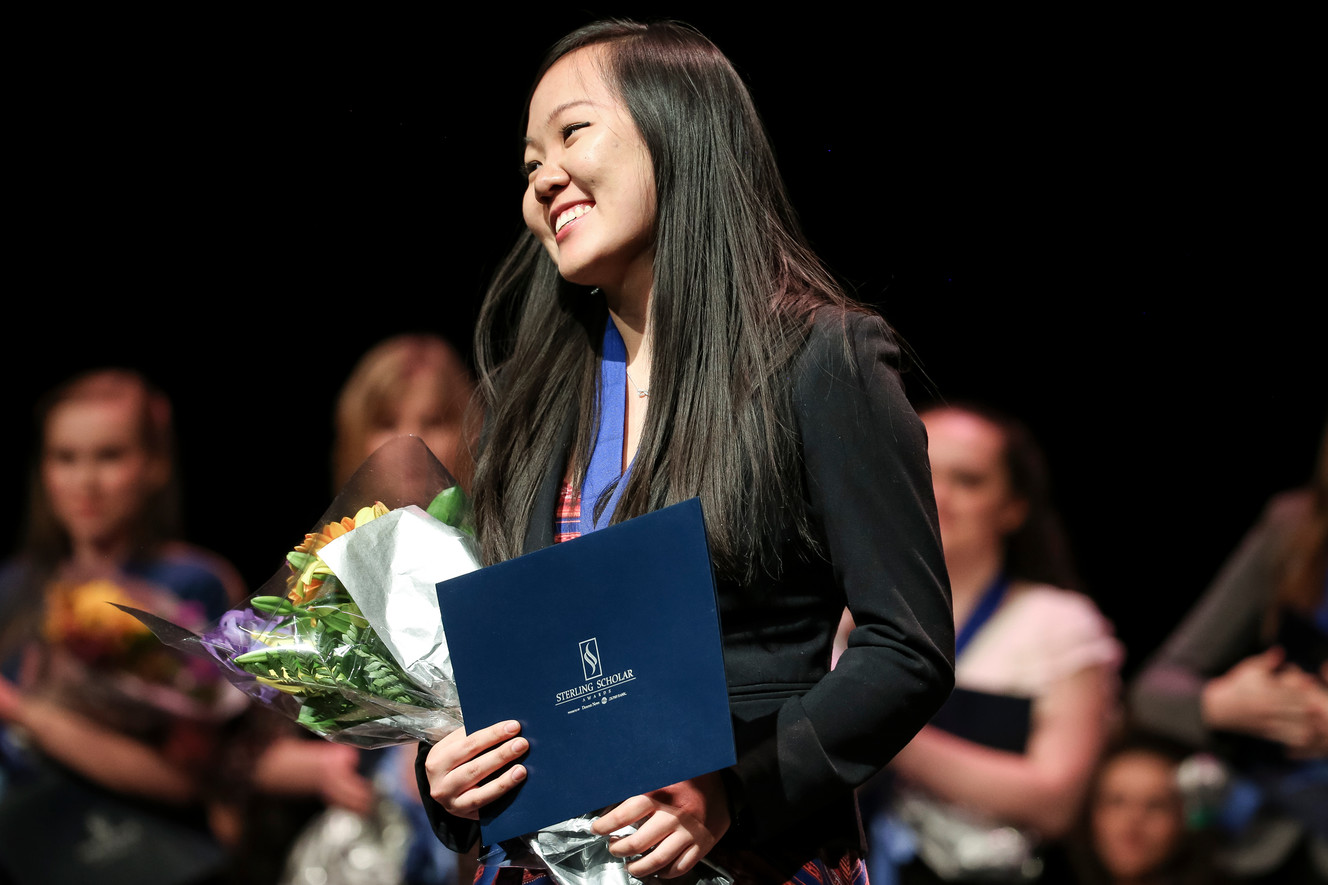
[(363, 660)]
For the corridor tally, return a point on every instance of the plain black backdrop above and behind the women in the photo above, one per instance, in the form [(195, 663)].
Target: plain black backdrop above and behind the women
[(1092, 223)]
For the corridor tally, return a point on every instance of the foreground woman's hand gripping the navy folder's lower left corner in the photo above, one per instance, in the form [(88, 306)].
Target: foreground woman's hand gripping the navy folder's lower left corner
[(459, 765)]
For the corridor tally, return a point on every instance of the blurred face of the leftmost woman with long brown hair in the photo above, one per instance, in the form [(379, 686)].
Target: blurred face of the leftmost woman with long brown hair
[(96, 471)]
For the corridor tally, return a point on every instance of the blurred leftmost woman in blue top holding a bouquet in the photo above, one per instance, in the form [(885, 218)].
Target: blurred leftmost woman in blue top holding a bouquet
[(99, 722)]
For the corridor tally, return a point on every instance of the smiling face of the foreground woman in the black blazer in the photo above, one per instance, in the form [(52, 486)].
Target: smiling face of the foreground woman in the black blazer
[(590, 197)]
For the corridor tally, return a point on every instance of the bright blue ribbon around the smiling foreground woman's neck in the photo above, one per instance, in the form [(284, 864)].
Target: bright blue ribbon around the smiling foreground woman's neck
[(606, 459)]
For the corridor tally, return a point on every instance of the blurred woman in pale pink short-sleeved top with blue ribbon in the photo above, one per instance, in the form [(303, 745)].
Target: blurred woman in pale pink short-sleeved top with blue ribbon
[(1006, 763)]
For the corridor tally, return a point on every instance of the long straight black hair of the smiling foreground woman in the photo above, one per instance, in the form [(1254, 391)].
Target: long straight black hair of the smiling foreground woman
[(735, 288)]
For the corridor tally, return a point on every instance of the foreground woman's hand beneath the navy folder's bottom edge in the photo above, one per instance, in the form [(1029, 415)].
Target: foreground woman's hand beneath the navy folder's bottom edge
[(679, 826)]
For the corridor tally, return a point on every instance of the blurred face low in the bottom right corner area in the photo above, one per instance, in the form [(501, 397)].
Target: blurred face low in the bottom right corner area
[(1137, 817)]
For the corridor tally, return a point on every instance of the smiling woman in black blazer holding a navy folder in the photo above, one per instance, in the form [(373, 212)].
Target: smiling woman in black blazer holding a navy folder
[(665, 333)]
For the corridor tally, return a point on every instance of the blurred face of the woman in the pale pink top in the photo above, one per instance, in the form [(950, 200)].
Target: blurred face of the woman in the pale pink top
[(974, 498)]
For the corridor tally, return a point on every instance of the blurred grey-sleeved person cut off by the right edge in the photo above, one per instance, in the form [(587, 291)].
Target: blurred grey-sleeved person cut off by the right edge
[(1245, 676)]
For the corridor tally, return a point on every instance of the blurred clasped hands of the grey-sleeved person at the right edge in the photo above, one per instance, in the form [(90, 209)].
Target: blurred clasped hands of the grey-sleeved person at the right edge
[(1261, 697)]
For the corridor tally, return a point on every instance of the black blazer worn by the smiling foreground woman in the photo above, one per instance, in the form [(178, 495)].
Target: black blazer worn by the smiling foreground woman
[(807, 737)]
